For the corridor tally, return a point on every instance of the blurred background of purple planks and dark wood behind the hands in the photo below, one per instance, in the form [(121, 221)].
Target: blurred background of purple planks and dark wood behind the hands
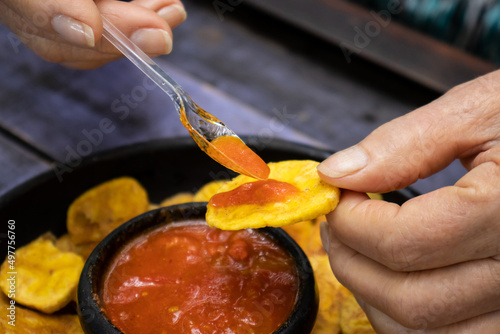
[(319, 72)]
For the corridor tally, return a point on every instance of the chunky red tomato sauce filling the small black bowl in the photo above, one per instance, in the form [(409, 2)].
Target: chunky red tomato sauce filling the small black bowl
[(190, 278)]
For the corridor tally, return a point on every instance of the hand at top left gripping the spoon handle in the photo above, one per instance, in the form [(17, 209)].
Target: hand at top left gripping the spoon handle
[(69, 32)]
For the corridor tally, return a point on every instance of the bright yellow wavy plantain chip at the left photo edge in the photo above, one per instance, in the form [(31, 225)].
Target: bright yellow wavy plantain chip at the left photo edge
[(45, 277)]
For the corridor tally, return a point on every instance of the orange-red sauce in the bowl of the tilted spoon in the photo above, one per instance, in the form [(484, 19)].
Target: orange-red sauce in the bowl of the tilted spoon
[(241, 158)]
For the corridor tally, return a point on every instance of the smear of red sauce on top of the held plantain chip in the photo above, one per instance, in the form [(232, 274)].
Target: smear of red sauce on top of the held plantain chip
[(258, 192)]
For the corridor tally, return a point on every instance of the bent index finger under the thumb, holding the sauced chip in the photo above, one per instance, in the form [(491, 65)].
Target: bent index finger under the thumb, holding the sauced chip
[(447, 226)]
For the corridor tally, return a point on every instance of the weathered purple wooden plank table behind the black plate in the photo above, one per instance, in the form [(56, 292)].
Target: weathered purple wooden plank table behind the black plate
[(261, 75)]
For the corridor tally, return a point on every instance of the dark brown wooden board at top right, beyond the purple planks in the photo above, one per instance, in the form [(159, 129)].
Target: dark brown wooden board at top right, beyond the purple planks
[(377, 37)]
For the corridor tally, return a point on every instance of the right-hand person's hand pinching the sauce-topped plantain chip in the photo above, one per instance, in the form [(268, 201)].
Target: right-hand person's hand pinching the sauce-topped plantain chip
[(431, 265)]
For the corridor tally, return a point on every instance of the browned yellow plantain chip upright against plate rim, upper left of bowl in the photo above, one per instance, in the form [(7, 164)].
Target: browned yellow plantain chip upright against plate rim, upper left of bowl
[(103, 208)]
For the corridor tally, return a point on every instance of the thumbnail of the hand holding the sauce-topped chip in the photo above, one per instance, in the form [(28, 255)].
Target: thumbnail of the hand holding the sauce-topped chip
[(344, 163)]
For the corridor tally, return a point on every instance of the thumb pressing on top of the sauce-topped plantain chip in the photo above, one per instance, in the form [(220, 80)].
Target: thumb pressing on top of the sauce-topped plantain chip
[(400, 152)]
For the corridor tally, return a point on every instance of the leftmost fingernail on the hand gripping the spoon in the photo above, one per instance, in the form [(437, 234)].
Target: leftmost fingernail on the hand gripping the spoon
[(73, 30)]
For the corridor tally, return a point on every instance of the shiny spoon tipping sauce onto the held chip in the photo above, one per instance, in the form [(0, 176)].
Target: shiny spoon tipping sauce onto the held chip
[(202, 126)]
